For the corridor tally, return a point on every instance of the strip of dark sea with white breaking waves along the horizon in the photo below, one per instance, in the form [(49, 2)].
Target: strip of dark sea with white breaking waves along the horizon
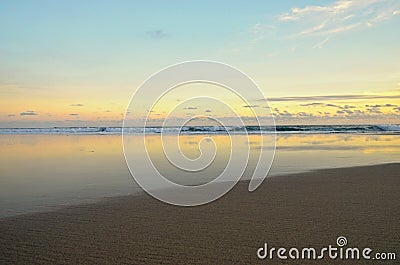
[(280, 129)]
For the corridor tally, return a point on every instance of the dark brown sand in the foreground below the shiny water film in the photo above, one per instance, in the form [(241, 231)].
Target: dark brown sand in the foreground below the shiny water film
[(303, 210)]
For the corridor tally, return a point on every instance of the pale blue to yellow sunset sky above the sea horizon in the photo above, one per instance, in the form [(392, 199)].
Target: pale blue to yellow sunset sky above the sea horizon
[(77, 63)]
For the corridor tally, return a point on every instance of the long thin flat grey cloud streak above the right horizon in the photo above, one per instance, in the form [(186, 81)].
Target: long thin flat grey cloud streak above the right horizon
[(333, 97)]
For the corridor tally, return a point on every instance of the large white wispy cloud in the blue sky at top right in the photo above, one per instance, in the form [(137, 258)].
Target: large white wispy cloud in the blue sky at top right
[(324, 21)]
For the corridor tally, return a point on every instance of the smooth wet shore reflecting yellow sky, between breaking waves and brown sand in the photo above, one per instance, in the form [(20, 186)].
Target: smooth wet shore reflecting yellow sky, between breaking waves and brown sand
[(38, 172)]
